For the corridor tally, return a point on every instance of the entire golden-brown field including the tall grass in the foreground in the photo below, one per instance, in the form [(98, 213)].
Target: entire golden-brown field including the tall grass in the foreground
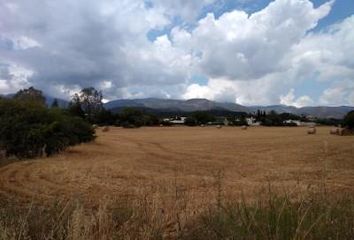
[(185, 183)]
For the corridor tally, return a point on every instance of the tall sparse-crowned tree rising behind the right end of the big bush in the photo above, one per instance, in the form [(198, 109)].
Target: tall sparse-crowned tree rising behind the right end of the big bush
[(90, 101)]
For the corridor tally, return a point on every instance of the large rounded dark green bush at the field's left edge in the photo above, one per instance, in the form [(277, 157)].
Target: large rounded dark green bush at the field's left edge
[(30, 130)]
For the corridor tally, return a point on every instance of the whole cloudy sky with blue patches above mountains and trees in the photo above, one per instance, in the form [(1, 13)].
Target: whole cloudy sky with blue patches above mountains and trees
[(250, 52)]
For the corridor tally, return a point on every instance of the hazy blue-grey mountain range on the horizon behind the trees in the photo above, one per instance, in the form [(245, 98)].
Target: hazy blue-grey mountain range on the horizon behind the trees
[(200, 104)]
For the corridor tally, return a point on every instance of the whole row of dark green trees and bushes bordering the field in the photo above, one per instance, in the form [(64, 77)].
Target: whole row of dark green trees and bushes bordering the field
[(29, 128)]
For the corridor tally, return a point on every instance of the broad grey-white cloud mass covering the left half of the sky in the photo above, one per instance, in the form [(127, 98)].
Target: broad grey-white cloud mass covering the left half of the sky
[(87, 43)]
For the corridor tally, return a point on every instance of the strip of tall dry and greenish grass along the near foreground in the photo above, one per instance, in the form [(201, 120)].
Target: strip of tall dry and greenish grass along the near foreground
[(314, 215)]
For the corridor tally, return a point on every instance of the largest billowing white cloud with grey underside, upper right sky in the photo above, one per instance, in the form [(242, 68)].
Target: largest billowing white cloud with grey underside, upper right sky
[(243, 47)]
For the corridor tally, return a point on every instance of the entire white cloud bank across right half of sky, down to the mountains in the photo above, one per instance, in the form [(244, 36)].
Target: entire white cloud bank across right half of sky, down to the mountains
[(261, 56)]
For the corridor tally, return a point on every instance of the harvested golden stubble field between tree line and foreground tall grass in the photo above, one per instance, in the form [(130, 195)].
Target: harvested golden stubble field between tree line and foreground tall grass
[(193, 161)]
